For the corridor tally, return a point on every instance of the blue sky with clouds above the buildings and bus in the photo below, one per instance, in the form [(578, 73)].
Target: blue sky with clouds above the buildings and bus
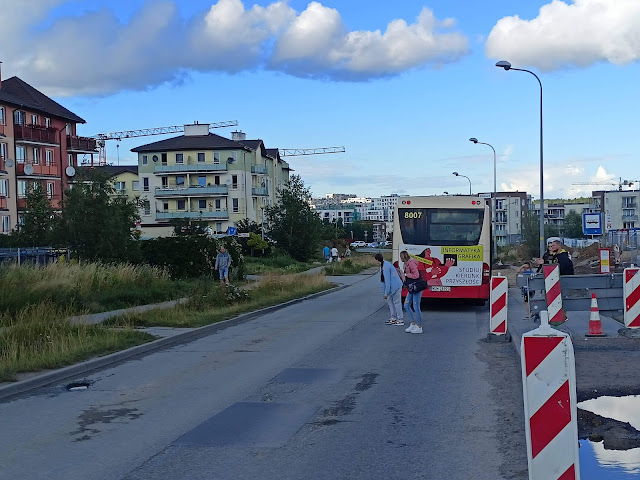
[(401, 85)]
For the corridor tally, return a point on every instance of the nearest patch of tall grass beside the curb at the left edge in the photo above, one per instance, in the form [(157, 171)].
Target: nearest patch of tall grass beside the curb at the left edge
[(38, 339)]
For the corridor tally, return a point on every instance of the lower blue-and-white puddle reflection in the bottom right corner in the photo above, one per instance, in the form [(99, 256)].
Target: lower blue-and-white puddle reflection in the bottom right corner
[(596, 463)]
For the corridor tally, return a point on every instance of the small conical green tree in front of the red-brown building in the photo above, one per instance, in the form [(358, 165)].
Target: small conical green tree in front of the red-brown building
[(38, 218)]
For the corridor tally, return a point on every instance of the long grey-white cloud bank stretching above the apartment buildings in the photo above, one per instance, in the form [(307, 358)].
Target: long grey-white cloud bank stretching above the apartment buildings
[(156, 45)]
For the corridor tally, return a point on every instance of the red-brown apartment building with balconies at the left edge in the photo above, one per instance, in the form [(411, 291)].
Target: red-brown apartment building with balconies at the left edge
[(38, 144)]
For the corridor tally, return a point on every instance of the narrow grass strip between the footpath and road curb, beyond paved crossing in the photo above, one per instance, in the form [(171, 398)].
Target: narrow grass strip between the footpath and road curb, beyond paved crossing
[(220, 303)]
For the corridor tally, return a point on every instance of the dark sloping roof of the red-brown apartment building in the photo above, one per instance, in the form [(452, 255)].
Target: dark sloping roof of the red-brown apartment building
[(18, 92)]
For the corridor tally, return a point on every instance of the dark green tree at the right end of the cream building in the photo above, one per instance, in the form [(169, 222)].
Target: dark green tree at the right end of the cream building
[(293, 224)]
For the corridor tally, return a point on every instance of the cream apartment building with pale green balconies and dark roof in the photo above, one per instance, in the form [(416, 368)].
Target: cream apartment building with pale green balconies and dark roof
[(203, 176)]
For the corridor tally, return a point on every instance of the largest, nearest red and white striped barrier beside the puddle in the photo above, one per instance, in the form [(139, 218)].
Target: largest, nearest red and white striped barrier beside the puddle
[(549, 390)]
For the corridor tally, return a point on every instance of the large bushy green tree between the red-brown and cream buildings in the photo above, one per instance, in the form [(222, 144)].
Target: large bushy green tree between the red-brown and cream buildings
[(96, 225)]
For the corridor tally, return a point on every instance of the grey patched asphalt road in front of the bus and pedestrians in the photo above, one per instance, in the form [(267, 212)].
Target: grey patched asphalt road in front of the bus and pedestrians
[(318, 390)]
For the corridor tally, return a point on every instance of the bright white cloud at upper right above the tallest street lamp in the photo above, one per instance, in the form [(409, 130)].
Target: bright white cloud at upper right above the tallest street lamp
[(574, 34)]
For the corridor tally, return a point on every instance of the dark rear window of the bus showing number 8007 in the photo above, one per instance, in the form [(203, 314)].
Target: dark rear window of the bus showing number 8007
[(432, 226)]
